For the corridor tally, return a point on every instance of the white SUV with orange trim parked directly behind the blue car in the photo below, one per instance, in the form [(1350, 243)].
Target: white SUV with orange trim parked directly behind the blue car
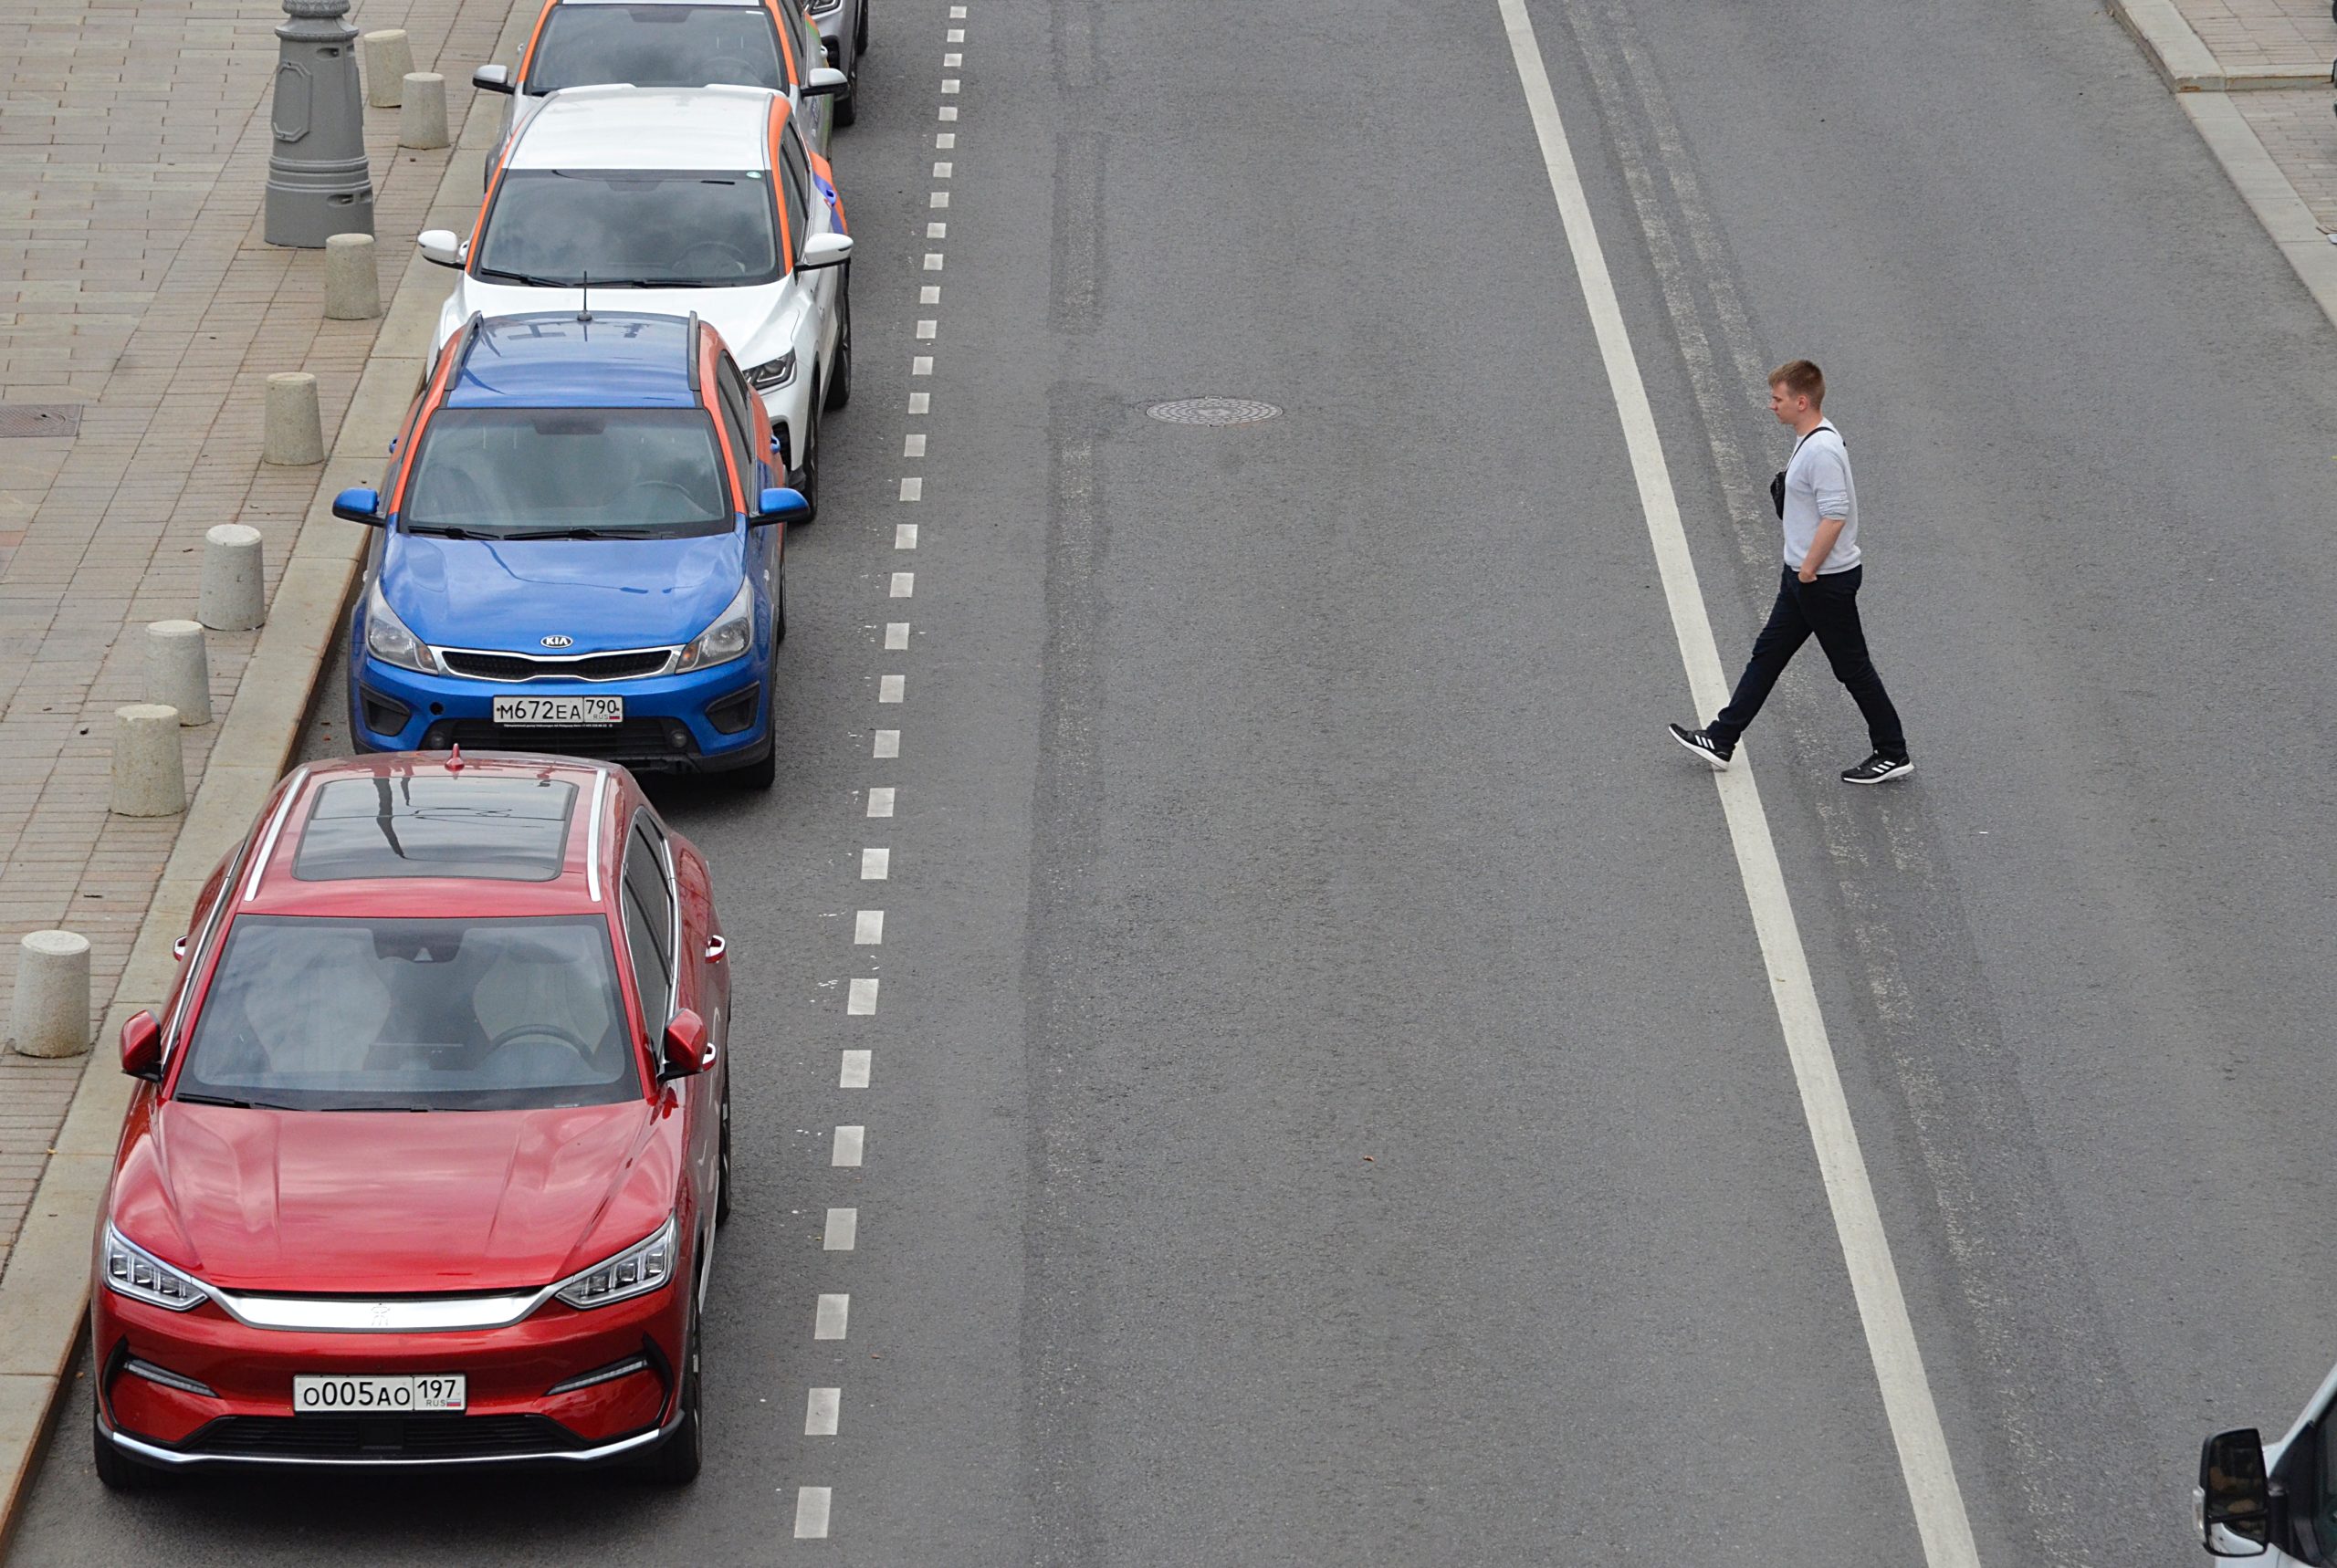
[(679, 202)]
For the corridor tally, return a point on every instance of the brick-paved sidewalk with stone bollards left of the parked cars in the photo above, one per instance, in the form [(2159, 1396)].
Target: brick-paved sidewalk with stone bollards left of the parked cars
[(134, 286)]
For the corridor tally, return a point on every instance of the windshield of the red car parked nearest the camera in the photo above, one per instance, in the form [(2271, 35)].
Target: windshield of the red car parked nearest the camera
[(412, 1015)]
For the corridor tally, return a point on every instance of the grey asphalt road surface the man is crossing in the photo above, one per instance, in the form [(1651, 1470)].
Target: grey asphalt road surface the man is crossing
[(1326, 1095)]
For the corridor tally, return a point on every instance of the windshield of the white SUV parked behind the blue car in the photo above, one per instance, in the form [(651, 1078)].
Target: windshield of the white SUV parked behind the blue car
[(560, 228)]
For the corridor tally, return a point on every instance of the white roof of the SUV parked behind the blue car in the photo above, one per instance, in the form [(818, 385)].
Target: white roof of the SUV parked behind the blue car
[(649, 127)]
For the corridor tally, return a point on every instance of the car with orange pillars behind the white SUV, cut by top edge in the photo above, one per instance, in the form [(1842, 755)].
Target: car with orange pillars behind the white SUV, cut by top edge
[(674, 43)]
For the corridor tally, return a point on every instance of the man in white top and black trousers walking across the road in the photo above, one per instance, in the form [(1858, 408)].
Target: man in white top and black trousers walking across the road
[(1817, 590)]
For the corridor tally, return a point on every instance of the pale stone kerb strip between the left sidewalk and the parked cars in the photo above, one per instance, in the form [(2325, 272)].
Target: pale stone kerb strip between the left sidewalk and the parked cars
[(46, 1284)]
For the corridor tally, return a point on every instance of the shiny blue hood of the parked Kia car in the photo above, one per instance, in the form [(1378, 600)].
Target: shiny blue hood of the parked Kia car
[(511, 595)]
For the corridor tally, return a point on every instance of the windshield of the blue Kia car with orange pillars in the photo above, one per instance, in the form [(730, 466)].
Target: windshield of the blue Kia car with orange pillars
[(546, 473)]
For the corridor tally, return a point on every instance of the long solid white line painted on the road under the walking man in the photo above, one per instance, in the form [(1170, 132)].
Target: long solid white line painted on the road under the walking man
[(1882, 1310)]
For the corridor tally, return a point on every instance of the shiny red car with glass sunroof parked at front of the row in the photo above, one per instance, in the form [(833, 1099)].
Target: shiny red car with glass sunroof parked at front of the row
[(434, 1137)]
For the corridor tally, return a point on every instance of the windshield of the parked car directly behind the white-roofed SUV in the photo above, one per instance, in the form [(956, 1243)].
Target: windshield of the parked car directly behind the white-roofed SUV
[(658, 46)]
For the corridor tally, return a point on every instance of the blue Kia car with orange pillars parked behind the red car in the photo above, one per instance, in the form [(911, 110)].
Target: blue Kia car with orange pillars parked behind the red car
[(578, 550)]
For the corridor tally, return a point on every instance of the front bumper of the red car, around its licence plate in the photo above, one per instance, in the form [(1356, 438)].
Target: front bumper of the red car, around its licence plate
[(511, 1415)]
